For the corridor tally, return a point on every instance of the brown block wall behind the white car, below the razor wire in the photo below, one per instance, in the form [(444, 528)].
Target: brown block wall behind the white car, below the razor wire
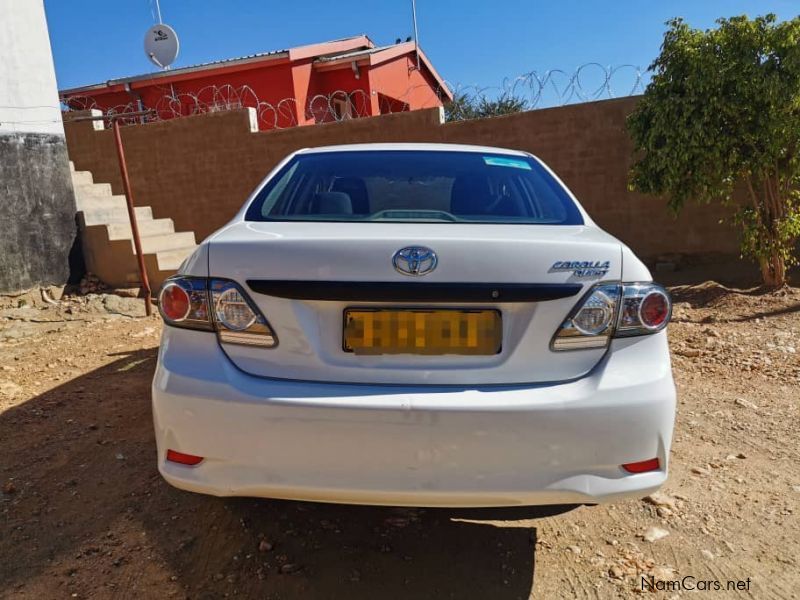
[(199, 170)]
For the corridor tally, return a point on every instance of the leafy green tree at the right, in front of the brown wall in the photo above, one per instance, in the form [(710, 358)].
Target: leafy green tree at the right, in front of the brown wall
[(722, 113)]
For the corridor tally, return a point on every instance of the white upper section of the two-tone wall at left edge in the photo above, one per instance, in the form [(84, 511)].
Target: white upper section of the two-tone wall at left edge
[(28, 90)]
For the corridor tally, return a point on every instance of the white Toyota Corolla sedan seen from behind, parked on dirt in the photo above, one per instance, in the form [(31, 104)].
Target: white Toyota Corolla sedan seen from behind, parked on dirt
[(414, 324)]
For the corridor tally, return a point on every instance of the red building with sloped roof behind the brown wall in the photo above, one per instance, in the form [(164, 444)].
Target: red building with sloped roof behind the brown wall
[(330, 81)]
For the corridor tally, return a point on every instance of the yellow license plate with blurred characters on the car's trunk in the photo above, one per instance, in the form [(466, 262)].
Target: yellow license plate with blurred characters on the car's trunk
[(420, 331)]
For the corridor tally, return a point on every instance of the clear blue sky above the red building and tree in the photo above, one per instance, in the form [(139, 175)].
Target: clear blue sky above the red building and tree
[(469, 42)]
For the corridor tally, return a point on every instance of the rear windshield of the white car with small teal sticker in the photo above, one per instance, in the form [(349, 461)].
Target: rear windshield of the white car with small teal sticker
[(414, 186)]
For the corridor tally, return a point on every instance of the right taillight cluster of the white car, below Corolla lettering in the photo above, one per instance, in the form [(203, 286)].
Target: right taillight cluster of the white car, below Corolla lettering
[(612, 310)]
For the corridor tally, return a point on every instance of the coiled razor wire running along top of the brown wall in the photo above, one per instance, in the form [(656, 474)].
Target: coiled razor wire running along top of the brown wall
[(529, 91)]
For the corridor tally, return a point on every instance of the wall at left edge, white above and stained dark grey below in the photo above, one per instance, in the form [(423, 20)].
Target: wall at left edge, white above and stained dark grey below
[(37, 207)]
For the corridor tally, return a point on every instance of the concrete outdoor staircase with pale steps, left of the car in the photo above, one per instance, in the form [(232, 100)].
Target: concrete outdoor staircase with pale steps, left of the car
[(107, 241)]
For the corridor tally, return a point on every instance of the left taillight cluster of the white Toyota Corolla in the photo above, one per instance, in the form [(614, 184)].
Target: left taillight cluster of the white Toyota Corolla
[(219, 305)]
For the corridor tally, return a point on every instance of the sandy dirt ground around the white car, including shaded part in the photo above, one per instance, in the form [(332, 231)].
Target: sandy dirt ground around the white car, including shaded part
[(84, 513)]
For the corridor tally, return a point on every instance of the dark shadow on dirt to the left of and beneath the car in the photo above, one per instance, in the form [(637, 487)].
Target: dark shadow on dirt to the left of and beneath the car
[(85, 512)]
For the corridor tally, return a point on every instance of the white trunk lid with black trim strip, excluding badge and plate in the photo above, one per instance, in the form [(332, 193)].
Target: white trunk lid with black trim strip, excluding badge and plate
[(305, 277)]
